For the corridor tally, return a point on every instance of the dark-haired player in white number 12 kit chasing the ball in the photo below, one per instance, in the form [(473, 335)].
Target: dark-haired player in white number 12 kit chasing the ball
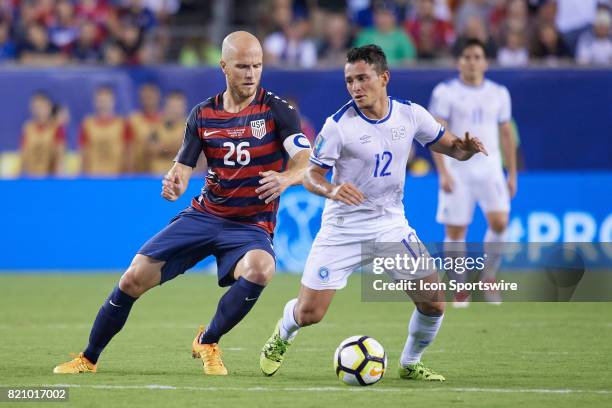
[(367, 144)]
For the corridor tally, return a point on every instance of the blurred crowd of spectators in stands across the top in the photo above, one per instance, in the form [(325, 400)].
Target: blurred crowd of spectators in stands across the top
[(303, 33)]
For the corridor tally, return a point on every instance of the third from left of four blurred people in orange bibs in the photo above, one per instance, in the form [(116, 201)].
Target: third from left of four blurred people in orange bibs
[(143, 124)]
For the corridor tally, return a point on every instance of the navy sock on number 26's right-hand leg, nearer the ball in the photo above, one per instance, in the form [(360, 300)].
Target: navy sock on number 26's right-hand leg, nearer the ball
[(233, 306)]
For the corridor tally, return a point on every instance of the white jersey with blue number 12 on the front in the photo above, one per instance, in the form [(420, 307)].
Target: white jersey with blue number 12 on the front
[(372, 155)]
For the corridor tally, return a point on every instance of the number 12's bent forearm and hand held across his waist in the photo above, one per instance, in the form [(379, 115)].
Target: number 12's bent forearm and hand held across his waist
[(316, 183)]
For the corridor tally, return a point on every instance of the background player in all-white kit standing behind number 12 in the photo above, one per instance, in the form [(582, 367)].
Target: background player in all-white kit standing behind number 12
[(472, 102)]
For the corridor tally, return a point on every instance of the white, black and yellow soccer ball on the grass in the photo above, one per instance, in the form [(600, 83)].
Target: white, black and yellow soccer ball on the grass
[(360, 360)]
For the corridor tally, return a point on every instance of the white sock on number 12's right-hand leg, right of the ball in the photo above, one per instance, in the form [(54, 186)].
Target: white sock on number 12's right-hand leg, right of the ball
[(422, 330)]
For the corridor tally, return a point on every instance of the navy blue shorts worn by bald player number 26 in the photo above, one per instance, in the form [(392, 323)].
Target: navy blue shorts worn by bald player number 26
[(194, 235)]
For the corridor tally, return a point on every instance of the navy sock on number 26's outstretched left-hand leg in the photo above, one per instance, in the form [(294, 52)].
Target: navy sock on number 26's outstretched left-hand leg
[(109, 321)]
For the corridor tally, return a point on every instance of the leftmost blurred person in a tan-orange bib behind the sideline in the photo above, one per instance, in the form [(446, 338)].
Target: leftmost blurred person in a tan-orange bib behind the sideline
[(43, 139)]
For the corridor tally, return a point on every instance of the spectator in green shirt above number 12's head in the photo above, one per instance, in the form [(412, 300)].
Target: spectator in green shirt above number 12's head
[(396, 44)]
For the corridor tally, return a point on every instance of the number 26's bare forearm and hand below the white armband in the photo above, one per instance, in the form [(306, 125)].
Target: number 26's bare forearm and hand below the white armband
[(274, 183)]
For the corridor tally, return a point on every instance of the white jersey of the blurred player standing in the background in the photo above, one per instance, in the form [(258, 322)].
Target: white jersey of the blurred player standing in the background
[(478, 110)]
